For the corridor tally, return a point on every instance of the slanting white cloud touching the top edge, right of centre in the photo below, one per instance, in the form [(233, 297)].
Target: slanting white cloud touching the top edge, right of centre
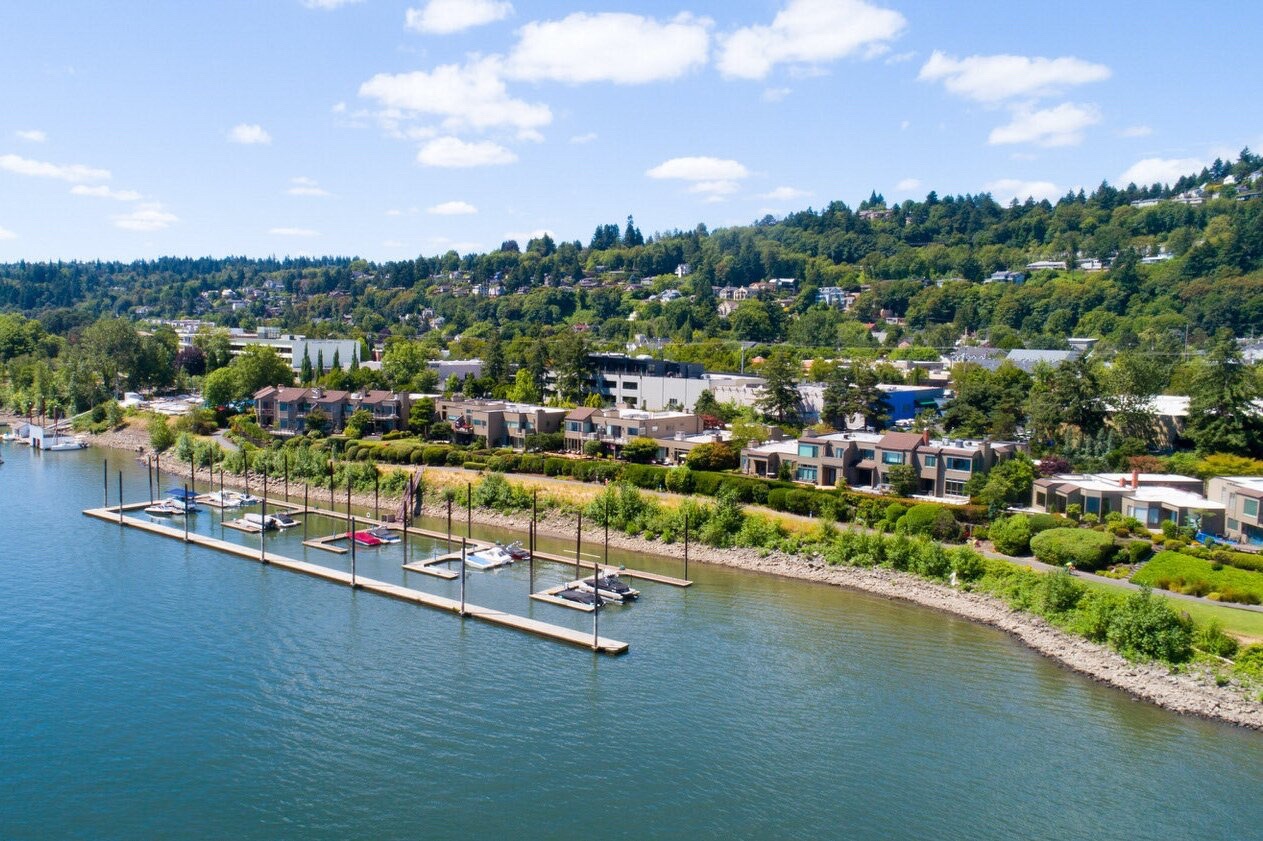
[(810, 32)]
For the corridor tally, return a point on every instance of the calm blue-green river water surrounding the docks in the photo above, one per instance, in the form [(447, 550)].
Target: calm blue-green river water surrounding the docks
[(151, 689)]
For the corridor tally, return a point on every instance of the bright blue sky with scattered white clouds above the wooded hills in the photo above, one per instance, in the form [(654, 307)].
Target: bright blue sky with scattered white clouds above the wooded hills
[(388, 129)]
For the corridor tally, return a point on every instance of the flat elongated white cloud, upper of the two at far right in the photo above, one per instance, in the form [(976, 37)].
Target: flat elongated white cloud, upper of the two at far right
[(995, 79)]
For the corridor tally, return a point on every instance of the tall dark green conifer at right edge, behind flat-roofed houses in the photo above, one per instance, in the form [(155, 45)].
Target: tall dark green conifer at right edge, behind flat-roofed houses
[(1222, 415)]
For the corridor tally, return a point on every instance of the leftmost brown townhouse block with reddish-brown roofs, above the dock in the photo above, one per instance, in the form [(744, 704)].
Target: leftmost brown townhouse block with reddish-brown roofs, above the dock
[(286, 410)]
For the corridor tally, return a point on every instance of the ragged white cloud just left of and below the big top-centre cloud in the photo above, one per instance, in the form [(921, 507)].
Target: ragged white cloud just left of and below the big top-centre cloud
[(467, 97)]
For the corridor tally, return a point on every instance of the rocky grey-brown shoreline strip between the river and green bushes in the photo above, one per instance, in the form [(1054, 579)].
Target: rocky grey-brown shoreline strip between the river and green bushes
[(1193, 693)]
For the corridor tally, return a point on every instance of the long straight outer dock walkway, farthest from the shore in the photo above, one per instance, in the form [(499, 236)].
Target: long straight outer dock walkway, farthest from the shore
[(489, 616)]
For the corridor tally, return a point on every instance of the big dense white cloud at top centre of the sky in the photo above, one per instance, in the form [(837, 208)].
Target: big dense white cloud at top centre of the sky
[(609, 47)]
